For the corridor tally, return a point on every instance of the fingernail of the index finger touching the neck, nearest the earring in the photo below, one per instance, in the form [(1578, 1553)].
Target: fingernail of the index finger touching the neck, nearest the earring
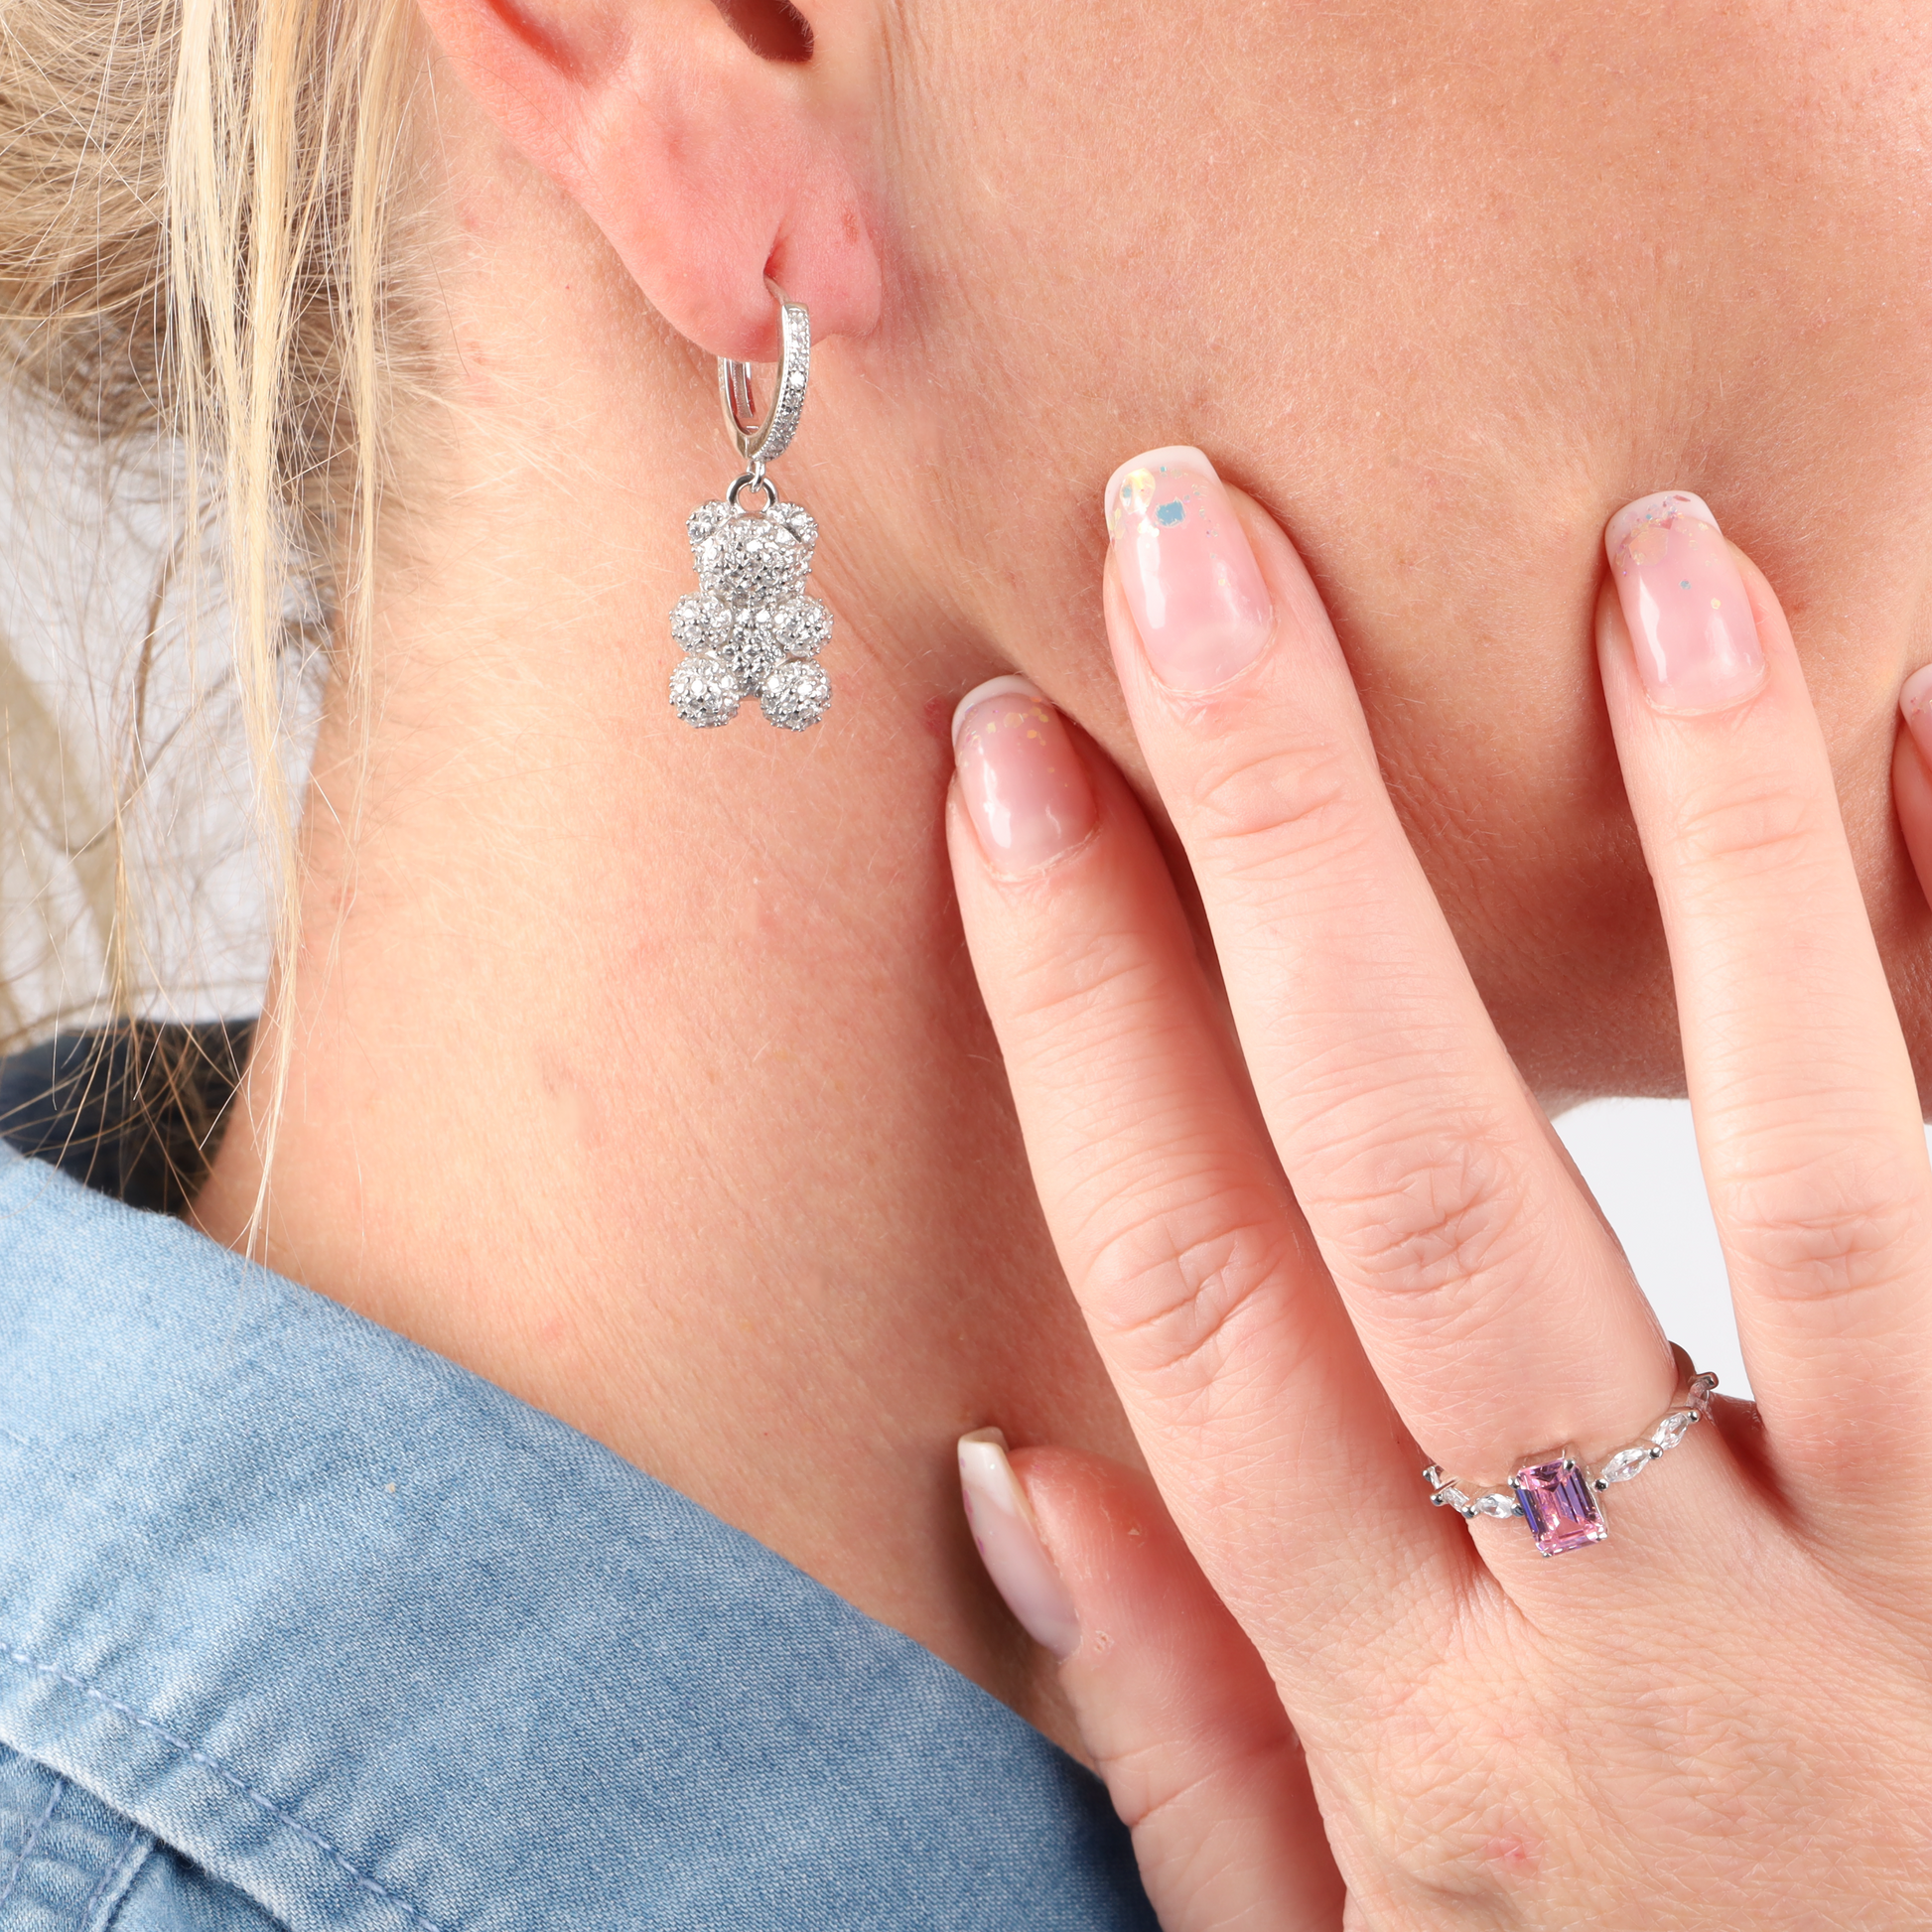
[(1025, 785)]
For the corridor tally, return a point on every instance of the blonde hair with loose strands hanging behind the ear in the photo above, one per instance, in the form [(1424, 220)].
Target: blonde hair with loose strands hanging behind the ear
[(194, 248)]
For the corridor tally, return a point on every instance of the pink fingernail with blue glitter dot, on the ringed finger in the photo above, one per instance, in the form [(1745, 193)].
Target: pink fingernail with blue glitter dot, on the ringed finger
[(1191, 579)]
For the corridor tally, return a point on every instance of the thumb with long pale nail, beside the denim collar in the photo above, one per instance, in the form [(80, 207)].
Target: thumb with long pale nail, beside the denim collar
[(1174, 1703)]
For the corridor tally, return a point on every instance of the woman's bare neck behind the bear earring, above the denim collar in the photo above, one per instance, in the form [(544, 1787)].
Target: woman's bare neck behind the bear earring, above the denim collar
[(642, 1069)]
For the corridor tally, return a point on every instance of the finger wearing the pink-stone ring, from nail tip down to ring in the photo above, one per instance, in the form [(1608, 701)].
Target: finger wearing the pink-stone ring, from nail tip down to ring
[(1491, 1297)]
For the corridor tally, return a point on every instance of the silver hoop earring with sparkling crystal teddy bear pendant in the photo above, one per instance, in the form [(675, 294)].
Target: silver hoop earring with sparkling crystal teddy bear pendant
[(753, 627)]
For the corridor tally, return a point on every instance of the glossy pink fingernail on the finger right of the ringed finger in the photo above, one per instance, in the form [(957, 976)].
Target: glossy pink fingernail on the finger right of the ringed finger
[(1697, 642)]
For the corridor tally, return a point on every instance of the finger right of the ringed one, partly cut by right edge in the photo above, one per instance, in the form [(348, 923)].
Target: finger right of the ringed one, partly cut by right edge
[(1805, 1102)]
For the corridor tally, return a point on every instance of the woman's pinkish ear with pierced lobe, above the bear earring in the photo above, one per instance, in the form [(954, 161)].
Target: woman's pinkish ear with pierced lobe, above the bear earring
[(712, 152)]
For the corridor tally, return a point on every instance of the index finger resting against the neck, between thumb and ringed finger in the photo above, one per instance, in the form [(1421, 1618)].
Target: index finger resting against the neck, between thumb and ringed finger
[(1205, 1295)]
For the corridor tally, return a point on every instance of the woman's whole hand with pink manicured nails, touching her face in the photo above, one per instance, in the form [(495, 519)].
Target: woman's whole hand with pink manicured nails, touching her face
[(1324, 1236)]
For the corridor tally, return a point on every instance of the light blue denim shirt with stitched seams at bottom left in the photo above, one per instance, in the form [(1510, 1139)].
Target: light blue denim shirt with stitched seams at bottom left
[(302, 1626)]
